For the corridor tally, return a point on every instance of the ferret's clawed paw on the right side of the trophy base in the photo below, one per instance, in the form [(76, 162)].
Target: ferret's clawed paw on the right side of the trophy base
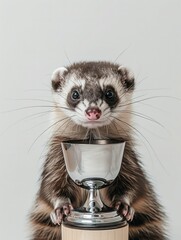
[(125, 210)]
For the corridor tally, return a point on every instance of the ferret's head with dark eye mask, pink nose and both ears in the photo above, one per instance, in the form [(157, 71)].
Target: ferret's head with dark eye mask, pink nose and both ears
[(92, 94)]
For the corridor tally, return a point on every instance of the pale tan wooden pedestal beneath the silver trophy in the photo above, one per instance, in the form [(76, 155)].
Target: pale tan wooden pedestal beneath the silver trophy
[(81, 234)]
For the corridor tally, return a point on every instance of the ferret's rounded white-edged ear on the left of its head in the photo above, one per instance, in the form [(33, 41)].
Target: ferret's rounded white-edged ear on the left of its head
[(58, 77)]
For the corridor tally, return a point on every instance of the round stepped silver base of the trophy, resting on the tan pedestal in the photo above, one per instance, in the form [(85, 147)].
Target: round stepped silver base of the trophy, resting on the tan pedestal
[(98, 220)]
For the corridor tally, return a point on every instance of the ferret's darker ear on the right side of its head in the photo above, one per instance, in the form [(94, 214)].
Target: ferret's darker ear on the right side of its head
[(127, 78)]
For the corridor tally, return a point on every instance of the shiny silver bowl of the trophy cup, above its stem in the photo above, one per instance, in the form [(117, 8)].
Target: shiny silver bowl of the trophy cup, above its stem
[(96, 159)]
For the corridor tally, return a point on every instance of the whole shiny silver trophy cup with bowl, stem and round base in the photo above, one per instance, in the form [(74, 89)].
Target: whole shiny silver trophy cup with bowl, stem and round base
[(93, 165)]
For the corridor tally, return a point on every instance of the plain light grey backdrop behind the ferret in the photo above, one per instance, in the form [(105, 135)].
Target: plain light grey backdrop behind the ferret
[(38, 36)]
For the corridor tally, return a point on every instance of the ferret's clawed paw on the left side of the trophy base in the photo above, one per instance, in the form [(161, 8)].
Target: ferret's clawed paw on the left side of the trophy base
[(61, 209)]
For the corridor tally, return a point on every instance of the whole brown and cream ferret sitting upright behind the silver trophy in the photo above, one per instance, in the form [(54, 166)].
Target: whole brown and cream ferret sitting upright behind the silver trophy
[(93, 100)]
